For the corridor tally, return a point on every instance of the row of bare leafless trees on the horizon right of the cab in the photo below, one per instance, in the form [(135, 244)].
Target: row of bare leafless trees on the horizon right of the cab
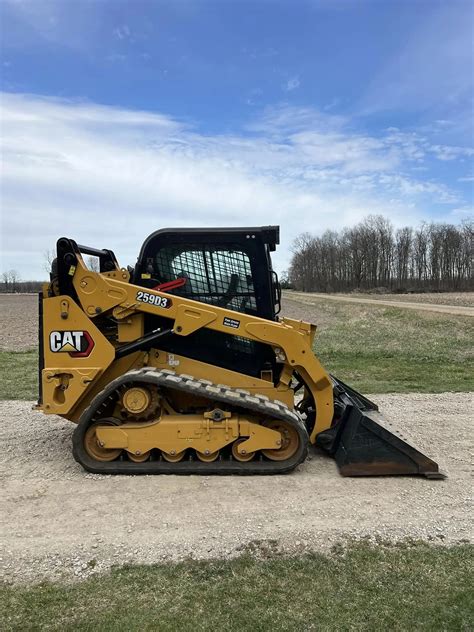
[(372, 254)]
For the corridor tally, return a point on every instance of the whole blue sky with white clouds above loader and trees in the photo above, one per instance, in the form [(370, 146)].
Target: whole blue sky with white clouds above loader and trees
[(119, 118)]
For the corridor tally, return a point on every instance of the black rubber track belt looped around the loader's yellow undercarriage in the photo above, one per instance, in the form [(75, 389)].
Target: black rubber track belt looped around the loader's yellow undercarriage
[(238, 399)]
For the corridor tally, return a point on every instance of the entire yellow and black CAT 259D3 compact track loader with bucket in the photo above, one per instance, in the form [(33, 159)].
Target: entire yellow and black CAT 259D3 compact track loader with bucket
[(182, 365)]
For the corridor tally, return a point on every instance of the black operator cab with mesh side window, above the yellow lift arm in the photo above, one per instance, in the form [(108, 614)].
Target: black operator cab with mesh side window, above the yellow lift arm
[(226, 267)]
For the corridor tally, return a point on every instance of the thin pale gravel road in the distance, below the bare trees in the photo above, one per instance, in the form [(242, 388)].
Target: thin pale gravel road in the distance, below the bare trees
[(312, 298)]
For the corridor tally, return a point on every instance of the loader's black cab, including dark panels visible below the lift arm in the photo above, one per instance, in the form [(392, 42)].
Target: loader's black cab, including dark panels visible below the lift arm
[(226, 267)]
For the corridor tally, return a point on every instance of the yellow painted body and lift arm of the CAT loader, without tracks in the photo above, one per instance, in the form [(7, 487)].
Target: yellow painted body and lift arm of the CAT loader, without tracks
[(69, 387)]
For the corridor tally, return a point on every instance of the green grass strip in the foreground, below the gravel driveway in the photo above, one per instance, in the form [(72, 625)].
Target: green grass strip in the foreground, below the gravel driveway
[(366, 587)]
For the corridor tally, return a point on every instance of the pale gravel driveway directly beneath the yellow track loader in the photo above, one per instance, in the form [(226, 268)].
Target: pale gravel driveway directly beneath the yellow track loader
[(59, 522)]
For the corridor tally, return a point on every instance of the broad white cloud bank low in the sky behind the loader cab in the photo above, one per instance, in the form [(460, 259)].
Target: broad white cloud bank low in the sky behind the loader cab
[(109, 176)]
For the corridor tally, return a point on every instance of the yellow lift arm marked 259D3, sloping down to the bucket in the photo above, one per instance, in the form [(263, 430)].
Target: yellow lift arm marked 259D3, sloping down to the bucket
[(111, 292)]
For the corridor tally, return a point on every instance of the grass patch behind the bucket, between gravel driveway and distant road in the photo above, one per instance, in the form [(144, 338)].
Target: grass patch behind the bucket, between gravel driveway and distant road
[(392, 350)]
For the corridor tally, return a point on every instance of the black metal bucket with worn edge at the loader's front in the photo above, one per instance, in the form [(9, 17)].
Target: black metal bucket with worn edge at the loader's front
[(365, 444)]
